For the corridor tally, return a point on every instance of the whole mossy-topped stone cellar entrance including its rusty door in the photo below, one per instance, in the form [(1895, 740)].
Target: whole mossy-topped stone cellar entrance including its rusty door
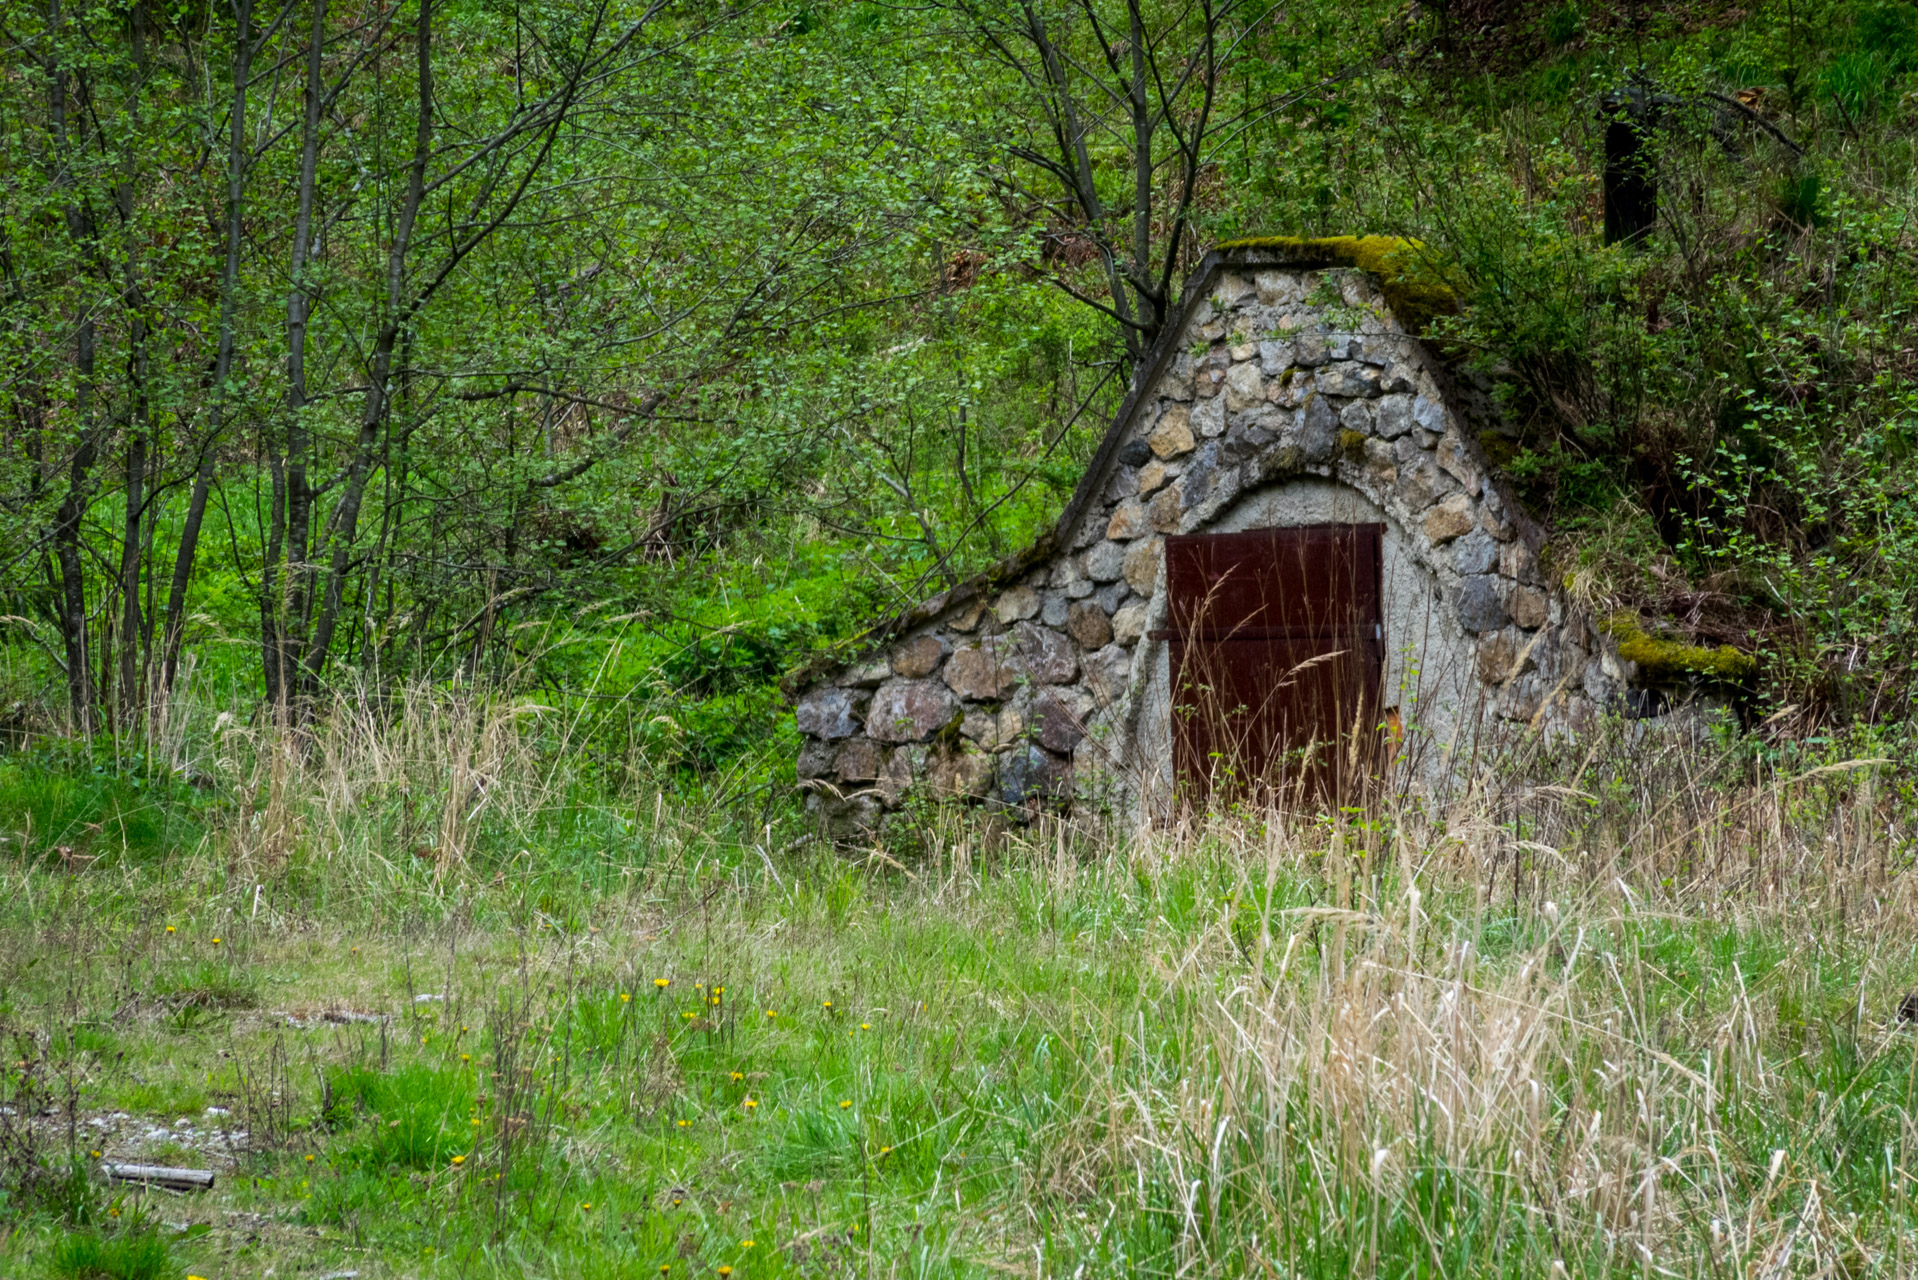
[(1290, 429)]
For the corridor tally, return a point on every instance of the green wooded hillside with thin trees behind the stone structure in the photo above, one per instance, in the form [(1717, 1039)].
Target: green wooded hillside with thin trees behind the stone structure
[(632, 352)]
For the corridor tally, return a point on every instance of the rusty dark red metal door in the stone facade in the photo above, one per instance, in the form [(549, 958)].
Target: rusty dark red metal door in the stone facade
[(1278, 650)]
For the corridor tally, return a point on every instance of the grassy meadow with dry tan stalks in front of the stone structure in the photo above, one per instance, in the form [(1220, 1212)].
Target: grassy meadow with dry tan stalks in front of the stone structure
[(431, 1008)]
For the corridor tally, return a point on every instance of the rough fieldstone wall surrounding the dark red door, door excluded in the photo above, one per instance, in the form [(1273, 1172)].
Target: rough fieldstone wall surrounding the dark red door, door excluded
[(1041, 684)]
